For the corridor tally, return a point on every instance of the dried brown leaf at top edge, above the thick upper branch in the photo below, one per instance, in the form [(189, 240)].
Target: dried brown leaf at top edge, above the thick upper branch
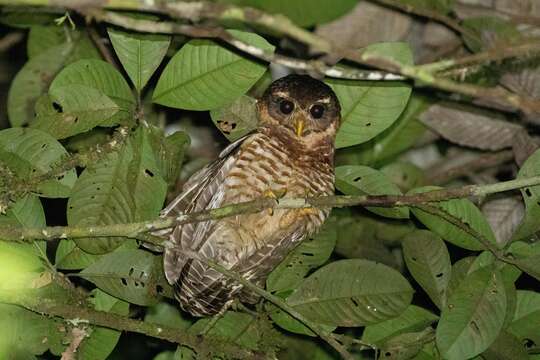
[(365, 24)]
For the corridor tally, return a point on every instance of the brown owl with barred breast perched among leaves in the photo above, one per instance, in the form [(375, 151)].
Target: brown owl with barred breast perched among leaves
[(291, 154)]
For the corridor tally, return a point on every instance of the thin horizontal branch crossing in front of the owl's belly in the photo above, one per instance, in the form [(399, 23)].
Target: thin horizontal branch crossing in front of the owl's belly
[(135, 230)]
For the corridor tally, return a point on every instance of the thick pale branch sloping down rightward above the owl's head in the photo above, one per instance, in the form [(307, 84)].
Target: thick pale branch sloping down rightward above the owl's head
[(197, 11)]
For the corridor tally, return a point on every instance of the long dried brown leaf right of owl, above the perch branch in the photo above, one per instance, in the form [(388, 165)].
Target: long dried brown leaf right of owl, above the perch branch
[(470, 129)]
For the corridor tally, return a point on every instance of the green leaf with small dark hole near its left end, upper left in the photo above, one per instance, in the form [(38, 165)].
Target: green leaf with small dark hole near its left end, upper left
[(73, 109)]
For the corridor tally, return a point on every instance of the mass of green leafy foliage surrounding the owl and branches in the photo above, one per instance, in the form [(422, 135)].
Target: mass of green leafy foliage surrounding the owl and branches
[(92, 126)]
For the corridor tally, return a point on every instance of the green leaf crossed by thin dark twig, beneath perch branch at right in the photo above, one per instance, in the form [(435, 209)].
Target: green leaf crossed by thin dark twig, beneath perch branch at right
[(466, 212)]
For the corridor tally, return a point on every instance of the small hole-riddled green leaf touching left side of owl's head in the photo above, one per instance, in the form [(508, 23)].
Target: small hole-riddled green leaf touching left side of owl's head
[(236, 119)]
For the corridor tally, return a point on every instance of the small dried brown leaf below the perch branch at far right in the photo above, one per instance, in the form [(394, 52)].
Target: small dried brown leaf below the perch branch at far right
[(504, 215)]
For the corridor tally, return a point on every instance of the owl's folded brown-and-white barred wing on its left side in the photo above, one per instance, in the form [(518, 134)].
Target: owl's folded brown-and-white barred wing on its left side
[(201, 191)]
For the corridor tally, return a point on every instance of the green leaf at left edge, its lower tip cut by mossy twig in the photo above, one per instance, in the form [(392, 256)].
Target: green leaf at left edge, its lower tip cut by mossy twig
[(29, 152)]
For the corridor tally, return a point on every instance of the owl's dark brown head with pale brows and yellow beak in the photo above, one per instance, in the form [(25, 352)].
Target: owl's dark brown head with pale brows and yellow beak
[(306, 107)]
